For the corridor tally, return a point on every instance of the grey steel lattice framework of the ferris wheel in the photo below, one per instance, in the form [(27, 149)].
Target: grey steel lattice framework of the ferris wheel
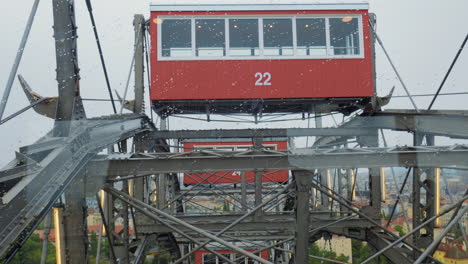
[(138, 185)]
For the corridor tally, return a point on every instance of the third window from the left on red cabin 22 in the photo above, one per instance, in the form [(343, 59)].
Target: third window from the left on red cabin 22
[(243, 37)]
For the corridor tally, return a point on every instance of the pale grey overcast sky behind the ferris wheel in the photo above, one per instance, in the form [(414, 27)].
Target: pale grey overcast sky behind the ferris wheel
[(422, 36)]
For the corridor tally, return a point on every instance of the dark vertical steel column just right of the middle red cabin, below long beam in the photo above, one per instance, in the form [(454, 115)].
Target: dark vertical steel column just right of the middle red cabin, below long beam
[(303, 185)]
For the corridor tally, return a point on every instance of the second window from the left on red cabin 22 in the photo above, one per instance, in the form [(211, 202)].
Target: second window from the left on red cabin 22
[(210, 38)]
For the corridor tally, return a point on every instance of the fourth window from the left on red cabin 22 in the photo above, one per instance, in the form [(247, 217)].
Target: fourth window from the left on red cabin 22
[(277, 37)]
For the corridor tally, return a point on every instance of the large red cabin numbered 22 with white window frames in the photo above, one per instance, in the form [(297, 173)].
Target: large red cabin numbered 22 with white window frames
[(260, 56)]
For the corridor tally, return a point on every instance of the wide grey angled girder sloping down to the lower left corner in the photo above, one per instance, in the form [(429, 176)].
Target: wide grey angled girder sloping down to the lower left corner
[(58, 168)]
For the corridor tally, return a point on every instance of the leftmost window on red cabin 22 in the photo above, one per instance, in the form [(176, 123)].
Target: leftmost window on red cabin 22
[(176, 38)]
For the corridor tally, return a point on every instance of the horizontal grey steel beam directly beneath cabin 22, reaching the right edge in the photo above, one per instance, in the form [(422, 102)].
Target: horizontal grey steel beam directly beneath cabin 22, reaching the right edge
[(436, 122)]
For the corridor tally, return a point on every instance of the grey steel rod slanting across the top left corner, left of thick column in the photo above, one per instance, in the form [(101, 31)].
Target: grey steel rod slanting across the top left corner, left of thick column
[(19, 56)]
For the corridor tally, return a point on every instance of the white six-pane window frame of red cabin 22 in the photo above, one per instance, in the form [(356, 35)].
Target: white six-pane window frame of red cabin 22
[(261, 55)]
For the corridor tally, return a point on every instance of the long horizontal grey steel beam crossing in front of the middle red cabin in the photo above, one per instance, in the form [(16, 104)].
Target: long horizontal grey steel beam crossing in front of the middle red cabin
[(147, 164)]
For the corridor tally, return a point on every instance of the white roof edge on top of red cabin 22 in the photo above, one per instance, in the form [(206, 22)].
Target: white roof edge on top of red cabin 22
[(257, 5)]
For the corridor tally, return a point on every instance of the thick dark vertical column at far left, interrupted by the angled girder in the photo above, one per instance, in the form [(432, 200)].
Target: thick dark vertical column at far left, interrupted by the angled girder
[(69, 107)]
